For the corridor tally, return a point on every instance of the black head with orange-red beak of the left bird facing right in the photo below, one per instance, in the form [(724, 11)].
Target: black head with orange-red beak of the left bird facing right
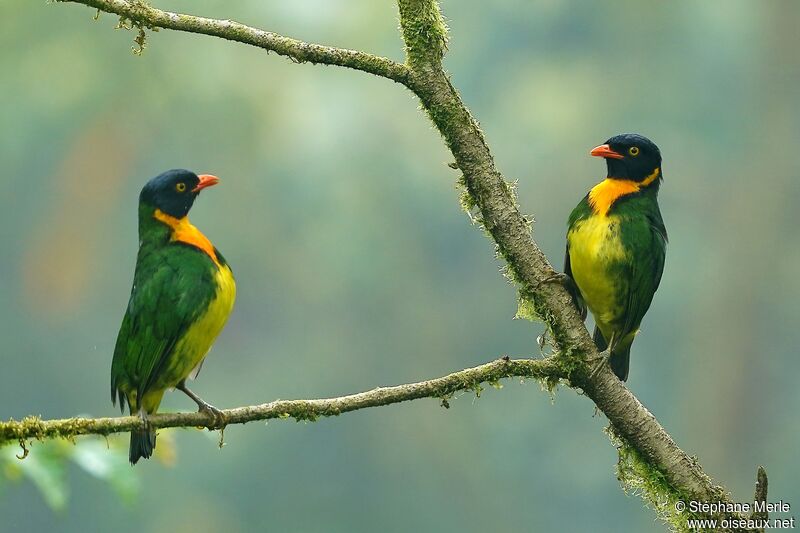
[(174, 191)]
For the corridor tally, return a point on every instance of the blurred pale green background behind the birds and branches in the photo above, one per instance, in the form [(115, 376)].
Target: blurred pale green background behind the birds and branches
[(357, 268)]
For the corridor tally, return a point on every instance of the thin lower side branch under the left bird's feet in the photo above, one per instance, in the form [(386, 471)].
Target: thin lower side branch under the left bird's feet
[(443, 388)]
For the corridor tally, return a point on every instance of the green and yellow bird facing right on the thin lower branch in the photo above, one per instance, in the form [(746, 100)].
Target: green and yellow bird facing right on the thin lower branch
[(183, 292)]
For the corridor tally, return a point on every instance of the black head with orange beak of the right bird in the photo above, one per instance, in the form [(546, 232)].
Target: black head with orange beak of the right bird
[(631, 156)]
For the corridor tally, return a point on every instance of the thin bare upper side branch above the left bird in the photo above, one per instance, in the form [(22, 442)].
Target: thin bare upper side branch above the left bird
[(143, 15)]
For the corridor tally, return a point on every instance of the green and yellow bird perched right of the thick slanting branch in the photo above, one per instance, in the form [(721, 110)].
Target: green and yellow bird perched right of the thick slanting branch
[(616, 243)]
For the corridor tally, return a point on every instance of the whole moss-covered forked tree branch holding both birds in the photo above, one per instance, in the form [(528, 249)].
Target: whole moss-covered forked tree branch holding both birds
[(646, 449)]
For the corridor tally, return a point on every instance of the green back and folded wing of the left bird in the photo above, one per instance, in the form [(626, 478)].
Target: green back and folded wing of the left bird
[(172, 288)]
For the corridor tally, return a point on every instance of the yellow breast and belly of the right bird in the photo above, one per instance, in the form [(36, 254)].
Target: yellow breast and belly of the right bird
[(594, 248)]
